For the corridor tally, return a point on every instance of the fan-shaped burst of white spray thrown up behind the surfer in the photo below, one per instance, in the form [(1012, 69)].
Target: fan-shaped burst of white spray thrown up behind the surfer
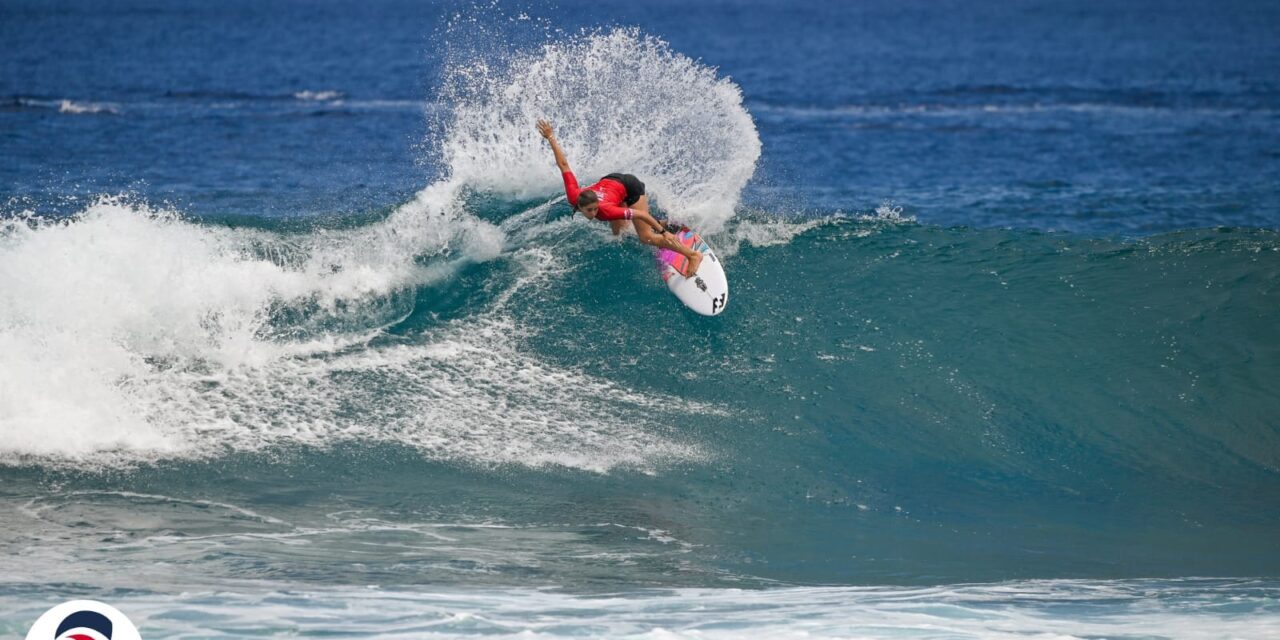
[(621, 103)]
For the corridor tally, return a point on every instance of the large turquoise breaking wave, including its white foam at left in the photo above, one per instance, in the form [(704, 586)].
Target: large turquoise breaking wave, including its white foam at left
[(907, 399)]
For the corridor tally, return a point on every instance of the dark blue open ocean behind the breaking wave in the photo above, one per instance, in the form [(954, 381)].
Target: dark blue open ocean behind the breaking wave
[(1089, 117)]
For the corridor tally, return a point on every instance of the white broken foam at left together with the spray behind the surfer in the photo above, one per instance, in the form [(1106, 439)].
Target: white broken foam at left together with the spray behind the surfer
[(232, 340)]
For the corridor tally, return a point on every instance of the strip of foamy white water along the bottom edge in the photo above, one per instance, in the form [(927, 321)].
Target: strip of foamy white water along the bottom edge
[(1116, 610)]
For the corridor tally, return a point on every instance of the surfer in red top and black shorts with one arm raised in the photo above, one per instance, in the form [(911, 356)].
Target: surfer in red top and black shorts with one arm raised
[(616, 199)]
